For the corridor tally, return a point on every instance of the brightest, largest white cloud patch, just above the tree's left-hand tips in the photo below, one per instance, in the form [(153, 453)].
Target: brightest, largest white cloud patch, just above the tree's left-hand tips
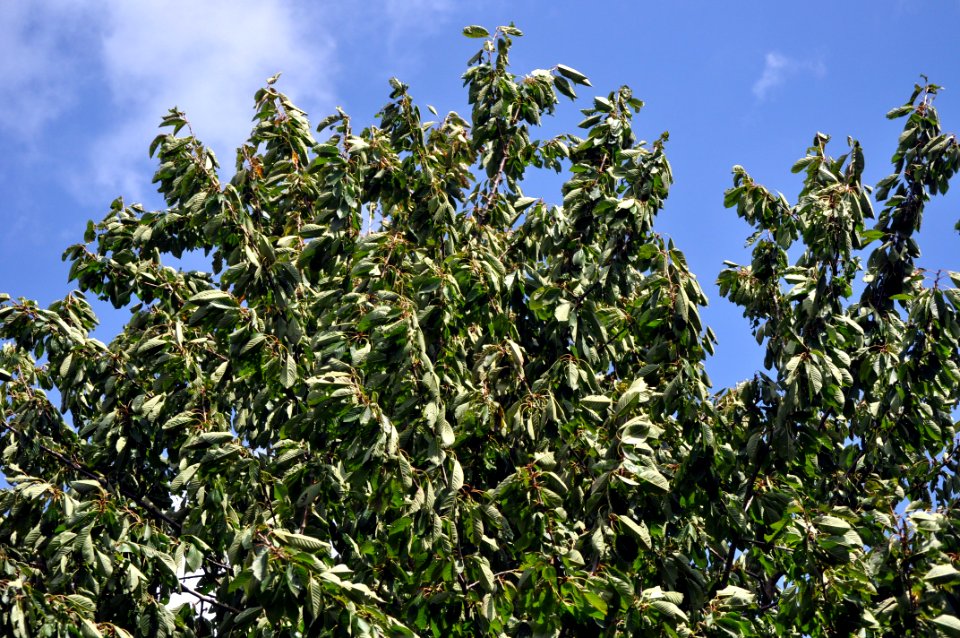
[(207, 58)]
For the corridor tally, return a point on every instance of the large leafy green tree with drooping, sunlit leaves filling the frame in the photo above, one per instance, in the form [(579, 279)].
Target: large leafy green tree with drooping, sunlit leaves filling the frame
[(411, 399)]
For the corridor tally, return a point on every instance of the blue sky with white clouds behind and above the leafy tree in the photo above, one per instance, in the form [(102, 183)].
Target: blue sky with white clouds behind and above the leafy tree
[(84, 85)]
